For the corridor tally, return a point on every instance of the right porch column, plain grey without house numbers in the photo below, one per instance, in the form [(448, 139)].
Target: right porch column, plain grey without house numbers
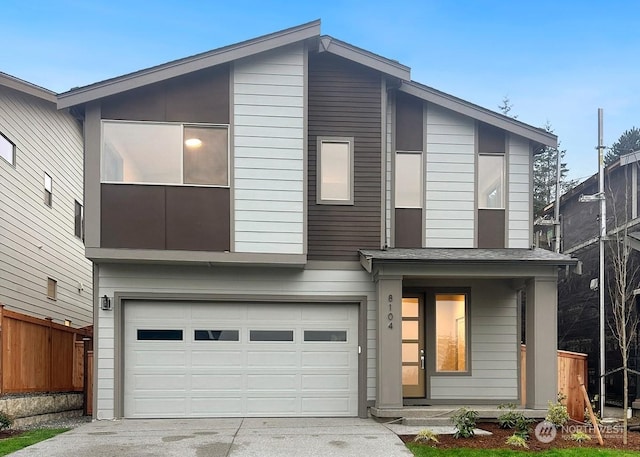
[(542, 342)]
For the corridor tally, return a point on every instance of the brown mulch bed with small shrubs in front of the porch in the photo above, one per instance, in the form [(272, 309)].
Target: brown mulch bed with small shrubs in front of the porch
[(612, 439)]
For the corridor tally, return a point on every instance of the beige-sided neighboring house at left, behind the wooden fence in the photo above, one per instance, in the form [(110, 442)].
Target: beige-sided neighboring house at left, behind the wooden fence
[(43, 270)]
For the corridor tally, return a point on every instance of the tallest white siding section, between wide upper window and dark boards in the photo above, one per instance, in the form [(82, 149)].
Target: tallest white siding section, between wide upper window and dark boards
[(268, 93)]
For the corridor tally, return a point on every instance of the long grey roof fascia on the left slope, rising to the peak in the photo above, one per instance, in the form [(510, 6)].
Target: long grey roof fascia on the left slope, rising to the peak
[(181, 67)]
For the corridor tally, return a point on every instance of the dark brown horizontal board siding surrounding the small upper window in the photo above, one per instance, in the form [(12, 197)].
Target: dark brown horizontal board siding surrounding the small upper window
[(345, 100)]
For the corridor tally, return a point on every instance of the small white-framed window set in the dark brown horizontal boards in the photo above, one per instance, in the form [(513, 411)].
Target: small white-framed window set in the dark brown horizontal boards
[(335, 171)]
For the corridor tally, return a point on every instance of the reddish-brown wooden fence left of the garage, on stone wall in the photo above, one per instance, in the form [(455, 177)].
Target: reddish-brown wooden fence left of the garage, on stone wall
[(38, 355)]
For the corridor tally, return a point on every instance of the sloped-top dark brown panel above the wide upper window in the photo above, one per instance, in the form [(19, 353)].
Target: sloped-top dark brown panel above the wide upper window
[(198, 97)]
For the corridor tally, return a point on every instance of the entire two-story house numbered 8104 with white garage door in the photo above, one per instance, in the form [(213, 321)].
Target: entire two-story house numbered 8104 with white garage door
[(290, 226)]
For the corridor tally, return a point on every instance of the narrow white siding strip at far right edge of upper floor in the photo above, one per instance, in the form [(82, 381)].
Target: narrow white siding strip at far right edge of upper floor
[(519, 224)]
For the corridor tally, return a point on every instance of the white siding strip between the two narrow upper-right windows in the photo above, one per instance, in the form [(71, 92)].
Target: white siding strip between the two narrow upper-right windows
[(450, 179)]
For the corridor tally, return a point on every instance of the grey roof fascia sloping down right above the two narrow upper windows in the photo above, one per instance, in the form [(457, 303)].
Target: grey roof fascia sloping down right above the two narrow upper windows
[(481, 114)]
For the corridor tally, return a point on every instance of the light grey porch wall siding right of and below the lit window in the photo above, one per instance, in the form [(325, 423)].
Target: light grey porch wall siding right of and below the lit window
[(494, 348)]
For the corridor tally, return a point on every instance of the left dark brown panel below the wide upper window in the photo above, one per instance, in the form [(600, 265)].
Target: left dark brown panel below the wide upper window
[(132, 216)]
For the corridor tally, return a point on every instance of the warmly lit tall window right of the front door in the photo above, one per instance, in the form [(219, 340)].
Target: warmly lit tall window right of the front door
[(451, 332)]
